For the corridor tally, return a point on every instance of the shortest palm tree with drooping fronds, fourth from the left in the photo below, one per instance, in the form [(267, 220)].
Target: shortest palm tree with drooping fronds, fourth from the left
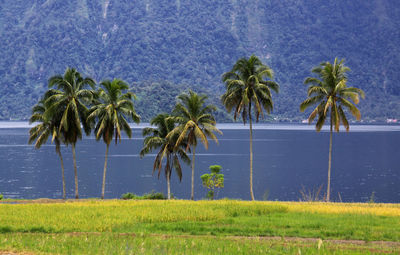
[(158, 138)]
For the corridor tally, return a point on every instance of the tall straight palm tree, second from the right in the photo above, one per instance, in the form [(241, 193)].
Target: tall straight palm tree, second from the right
[(247, 90)]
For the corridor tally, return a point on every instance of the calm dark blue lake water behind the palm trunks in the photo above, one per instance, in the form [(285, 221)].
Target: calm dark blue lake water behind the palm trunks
[(286, 158)]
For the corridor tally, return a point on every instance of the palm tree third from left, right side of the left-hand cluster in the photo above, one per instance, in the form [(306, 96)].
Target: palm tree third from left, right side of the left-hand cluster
[(112, 108)]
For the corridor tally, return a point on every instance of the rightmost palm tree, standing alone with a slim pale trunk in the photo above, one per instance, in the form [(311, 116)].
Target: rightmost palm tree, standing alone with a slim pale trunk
[(331, 94)]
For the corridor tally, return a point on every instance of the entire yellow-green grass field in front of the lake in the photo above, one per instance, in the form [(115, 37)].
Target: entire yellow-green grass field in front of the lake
[(201, 227)]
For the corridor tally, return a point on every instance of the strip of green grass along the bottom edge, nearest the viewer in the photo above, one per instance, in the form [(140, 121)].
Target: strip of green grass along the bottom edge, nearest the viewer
[(145, 244)]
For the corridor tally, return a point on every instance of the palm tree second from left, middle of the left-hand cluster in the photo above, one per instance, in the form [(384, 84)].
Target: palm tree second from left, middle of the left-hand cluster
[(70, 96)]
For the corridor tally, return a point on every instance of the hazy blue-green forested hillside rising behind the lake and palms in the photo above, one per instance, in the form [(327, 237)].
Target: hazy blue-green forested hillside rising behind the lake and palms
[(182, 44)]
